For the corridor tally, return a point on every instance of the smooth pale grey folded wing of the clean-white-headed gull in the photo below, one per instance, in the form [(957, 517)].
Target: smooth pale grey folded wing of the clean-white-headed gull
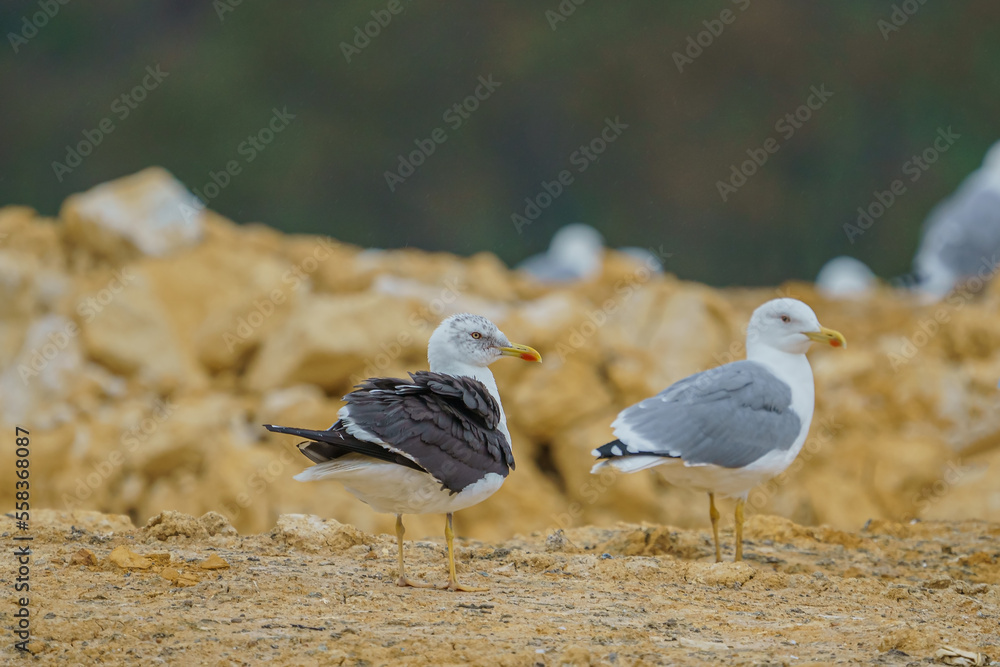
[(728, 416)]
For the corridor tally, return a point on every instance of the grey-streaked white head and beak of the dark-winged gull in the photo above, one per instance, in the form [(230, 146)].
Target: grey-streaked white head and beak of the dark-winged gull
[(472, 340)]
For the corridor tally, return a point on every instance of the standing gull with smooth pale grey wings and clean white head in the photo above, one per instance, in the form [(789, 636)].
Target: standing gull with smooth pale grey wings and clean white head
[(727, 429)]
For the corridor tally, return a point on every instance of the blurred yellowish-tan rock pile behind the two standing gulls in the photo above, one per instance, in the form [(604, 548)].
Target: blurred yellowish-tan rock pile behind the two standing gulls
[(143, 350)]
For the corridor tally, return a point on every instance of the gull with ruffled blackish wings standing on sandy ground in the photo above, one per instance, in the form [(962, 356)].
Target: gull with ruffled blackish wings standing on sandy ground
[(434, 443)]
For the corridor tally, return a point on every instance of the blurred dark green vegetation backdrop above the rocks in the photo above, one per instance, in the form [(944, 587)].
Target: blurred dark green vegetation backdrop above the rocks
[(656, 185)]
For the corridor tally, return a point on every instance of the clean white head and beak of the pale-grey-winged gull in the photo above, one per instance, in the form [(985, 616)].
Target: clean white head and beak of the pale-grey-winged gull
[(788, 325)]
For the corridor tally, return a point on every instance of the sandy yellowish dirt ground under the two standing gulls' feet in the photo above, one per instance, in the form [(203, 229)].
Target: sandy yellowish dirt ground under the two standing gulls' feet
[(315, 592)]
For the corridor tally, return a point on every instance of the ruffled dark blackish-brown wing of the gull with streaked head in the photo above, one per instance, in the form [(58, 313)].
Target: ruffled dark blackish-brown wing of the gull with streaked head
[(447, 425)]
